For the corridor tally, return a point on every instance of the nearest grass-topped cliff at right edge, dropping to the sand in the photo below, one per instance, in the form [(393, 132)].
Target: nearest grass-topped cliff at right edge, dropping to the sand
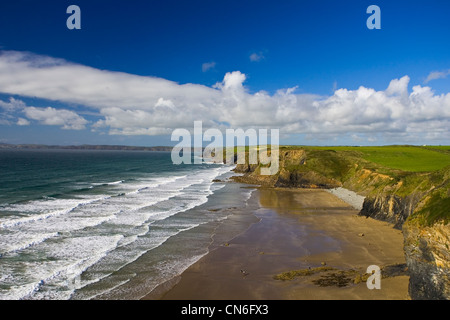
[(420, 207)]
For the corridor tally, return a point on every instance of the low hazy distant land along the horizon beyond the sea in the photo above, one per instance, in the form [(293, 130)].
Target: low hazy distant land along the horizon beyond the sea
[(83, 147)]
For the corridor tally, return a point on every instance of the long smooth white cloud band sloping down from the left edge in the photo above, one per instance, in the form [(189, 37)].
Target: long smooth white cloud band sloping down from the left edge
[(44, 77)]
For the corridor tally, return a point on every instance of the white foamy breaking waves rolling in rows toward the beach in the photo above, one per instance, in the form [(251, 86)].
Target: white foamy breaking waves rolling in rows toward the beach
[(101, 230)]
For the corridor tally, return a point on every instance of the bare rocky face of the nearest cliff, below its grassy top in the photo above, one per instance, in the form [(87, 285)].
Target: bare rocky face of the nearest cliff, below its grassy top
[(426, 247)]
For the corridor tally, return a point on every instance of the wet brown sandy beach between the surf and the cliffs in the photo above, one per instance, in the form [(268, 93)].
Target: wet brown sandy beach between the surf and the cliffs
[(294, 230)]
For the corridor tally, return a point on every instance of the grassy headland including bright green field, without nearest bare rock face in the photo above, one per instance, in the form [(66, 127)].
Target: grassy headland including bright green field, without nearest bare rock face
[(418, 174)]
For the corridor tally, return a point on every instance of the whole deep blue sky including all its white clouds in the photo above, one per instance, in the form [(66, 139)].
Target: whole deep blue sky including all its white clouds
[(138, 70)]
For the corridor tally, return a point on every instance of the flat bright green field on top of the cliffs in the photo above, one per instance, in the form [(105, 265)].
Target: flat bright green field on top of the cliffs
[(406, 158)]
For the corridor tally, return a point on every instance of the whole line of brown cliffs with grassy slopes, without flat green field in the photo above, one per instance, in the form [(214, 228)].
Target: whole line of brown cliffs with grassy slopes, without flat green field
[(418, 203)]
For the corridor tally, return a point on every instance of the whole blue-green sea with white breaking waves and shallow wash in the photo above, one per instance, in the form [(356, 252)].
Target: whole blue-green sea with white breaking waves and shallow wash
[(104, 224)]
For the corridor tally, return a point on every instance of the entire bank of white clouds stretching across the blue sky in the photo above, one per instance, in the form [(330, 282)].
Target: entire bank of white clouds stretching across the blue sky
[(136, 105)]
